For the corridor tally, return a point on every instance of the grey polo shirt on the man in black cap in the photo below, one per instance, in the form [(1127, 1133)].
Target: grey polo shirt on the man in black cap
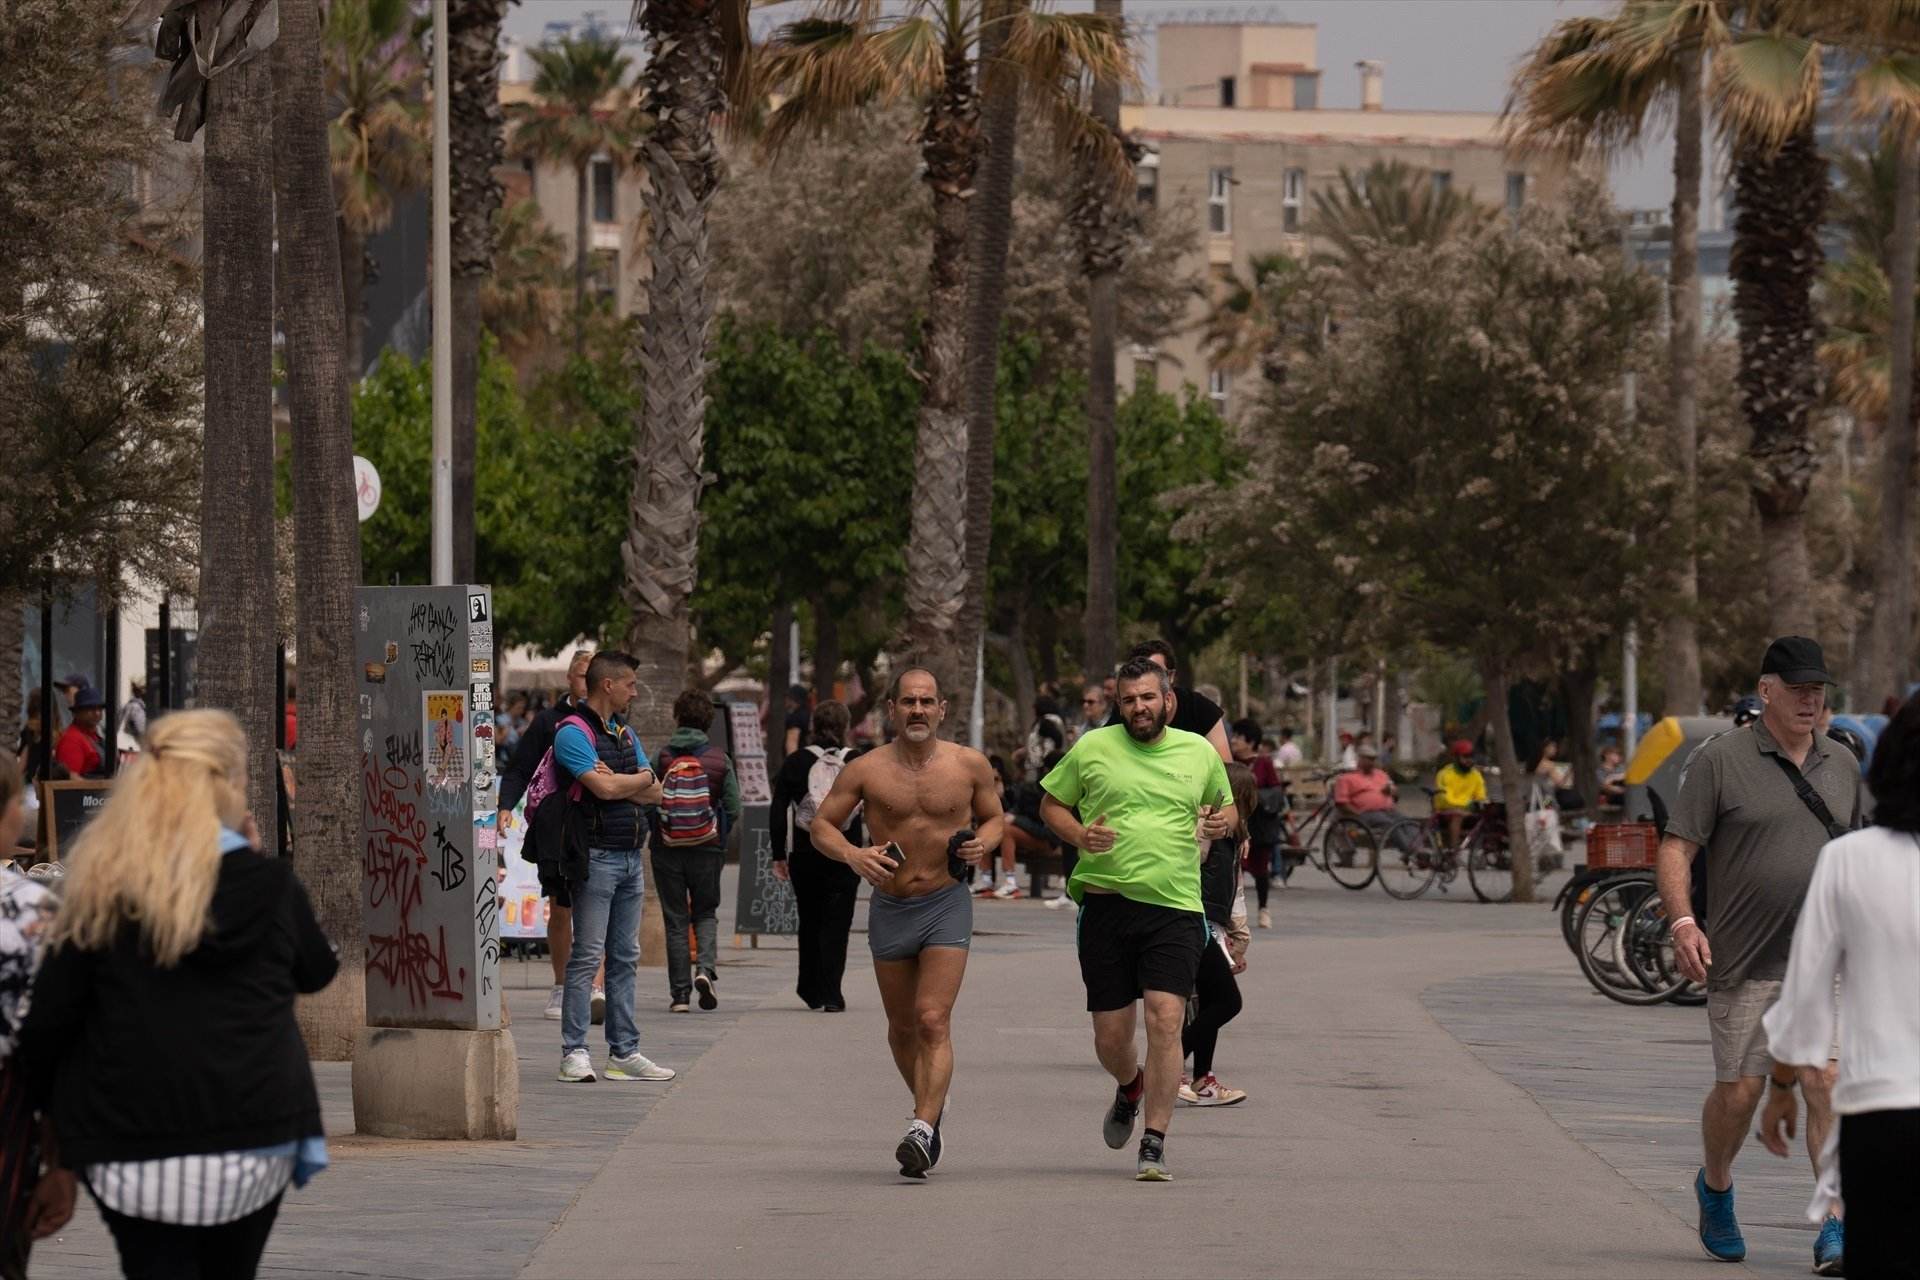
[(1762, 841)]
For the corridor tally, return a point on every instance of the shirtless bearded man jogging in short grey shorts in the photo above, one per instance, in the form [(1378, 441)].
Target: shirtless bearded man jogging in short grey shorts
[(919, 794)]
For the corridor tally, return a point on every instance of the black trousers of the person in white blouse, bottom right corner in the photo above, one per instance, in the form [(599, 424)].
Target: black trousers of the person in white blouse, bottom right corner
[(1881, 1185)]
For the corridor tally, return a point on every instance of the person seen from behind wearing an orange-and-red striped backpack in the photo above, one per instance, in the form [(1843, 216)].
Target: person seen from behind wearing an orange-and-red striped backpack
[(700, 803)]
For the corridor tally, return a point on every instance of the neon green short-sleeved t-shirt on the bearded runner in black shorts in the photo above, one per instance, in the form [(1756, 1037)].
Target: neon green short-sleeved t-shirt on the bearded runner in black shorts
[(1151, 797)]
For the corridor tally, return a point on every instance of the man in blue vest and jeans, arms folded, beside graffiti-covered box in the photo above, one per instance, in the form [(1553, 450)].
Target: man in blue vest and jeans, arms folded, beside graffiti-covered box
[(615, 782)]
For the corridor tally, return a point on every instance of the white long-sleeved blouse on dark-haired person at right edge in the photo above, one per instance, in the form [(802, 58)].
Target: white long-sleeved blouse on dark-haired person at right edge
[(1861, 920)]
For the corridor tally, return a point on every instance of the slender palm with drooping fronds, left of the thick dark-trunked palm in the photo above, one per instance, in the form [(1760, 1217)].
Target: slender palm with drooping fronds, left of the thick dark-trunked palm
[(1598, 83)]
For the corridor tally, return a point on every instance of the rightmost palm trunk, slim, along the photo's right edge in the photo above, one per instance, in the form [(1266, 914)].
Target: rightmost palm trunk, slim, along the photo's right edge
[(1894, 571)]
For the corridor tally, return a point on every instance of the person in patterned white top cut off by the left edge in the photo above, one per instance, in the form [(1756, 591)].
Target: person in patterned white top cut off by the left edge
[(32, 1206)]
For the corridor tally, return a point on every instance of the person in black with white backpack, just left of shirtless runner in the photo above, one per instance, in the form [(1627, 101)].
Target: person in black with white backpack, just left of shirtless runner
[(823, 888)]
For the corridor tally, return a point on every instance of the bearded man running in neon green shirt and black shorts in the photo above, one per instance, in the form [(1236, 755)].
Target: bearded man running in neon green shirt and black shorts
[(1159, 797)]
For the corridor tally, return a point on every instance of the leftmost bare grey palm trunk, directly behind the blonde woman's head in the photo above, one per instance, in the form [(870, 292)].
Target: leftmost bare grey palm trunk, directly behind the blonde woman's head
[(237, 657)]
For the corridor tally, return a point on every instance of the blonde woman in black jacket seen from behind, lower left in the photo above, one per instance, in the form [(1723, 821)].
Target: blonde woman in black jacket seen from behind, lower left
[(176, 932)]
